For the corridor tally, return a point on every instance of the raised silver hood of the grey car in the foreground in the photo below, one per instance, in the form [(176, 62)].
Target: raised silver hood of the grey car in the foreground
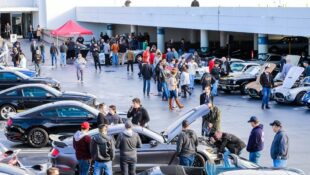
[(174, 129)]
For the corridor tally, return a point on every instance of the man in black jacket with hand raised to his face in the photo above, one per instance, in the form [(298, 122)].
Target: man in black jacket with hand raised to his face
[(138, 114)]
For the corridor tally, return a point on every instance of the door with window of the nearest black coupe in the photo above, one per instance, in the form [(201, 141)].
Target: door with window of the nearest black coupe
[(71, 117)]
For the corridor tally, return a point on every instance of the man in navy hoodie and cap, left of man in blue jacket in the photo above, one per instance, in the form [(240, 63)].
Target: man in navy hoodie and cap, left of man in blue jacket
[(256, 140)]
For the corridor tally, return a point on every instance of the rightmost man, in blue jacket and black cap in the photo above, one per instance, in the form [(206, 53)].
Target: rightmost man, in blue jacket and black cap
[(280, 145)]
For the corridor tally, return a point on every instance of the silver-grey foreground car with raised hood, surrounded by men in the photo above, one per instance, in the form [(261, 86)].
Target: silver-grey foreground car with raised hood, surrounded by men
[(157, 148)]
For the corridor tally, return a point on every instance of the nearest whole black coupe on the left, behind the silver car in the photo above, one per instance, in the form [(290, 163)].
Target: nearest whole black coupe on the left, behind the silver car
[(35, 125)]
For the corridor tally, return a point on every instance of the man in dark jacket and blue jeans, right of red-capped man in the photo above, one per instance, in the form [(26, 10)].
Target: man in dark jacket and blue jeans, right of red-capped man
[(102, 151)]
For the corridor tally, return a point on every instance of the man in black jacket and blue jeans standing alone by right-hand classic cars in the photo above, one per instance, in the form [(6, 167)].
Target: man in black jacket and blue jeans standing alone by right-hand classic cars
[(266, 80)]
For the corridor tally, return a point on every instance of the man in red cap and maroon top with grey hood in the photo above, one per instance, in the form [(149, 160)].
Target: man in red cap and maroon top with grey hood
[(81, 144)]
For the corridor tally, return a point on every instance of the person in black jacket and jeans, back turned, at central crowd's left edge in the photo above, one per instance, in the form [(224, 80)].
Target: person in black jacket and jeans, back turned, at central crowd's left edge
[(147, 74)]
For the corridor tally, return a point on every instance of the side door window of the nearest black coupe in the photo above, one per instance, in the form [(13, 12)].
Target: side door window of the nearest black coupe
[(73, 112)]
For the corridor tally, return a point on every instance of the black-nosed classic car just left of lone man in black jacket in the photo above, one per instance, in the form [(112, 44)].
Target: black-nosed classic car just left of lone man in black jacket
[(238, 82)]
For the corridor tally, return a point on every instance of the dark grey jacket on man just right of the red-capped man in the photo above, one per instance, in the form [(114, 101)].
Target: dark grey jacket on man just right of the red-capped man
[(102, 148)]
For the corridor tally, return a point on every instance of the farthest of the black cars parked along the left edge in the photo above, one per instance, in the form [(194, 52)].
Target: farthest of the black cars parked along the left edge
[(9, 78)]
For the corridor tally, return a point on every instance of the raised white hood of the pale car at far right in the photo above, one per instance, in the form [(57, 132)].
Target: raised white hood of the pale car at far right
[(291, 77)]
